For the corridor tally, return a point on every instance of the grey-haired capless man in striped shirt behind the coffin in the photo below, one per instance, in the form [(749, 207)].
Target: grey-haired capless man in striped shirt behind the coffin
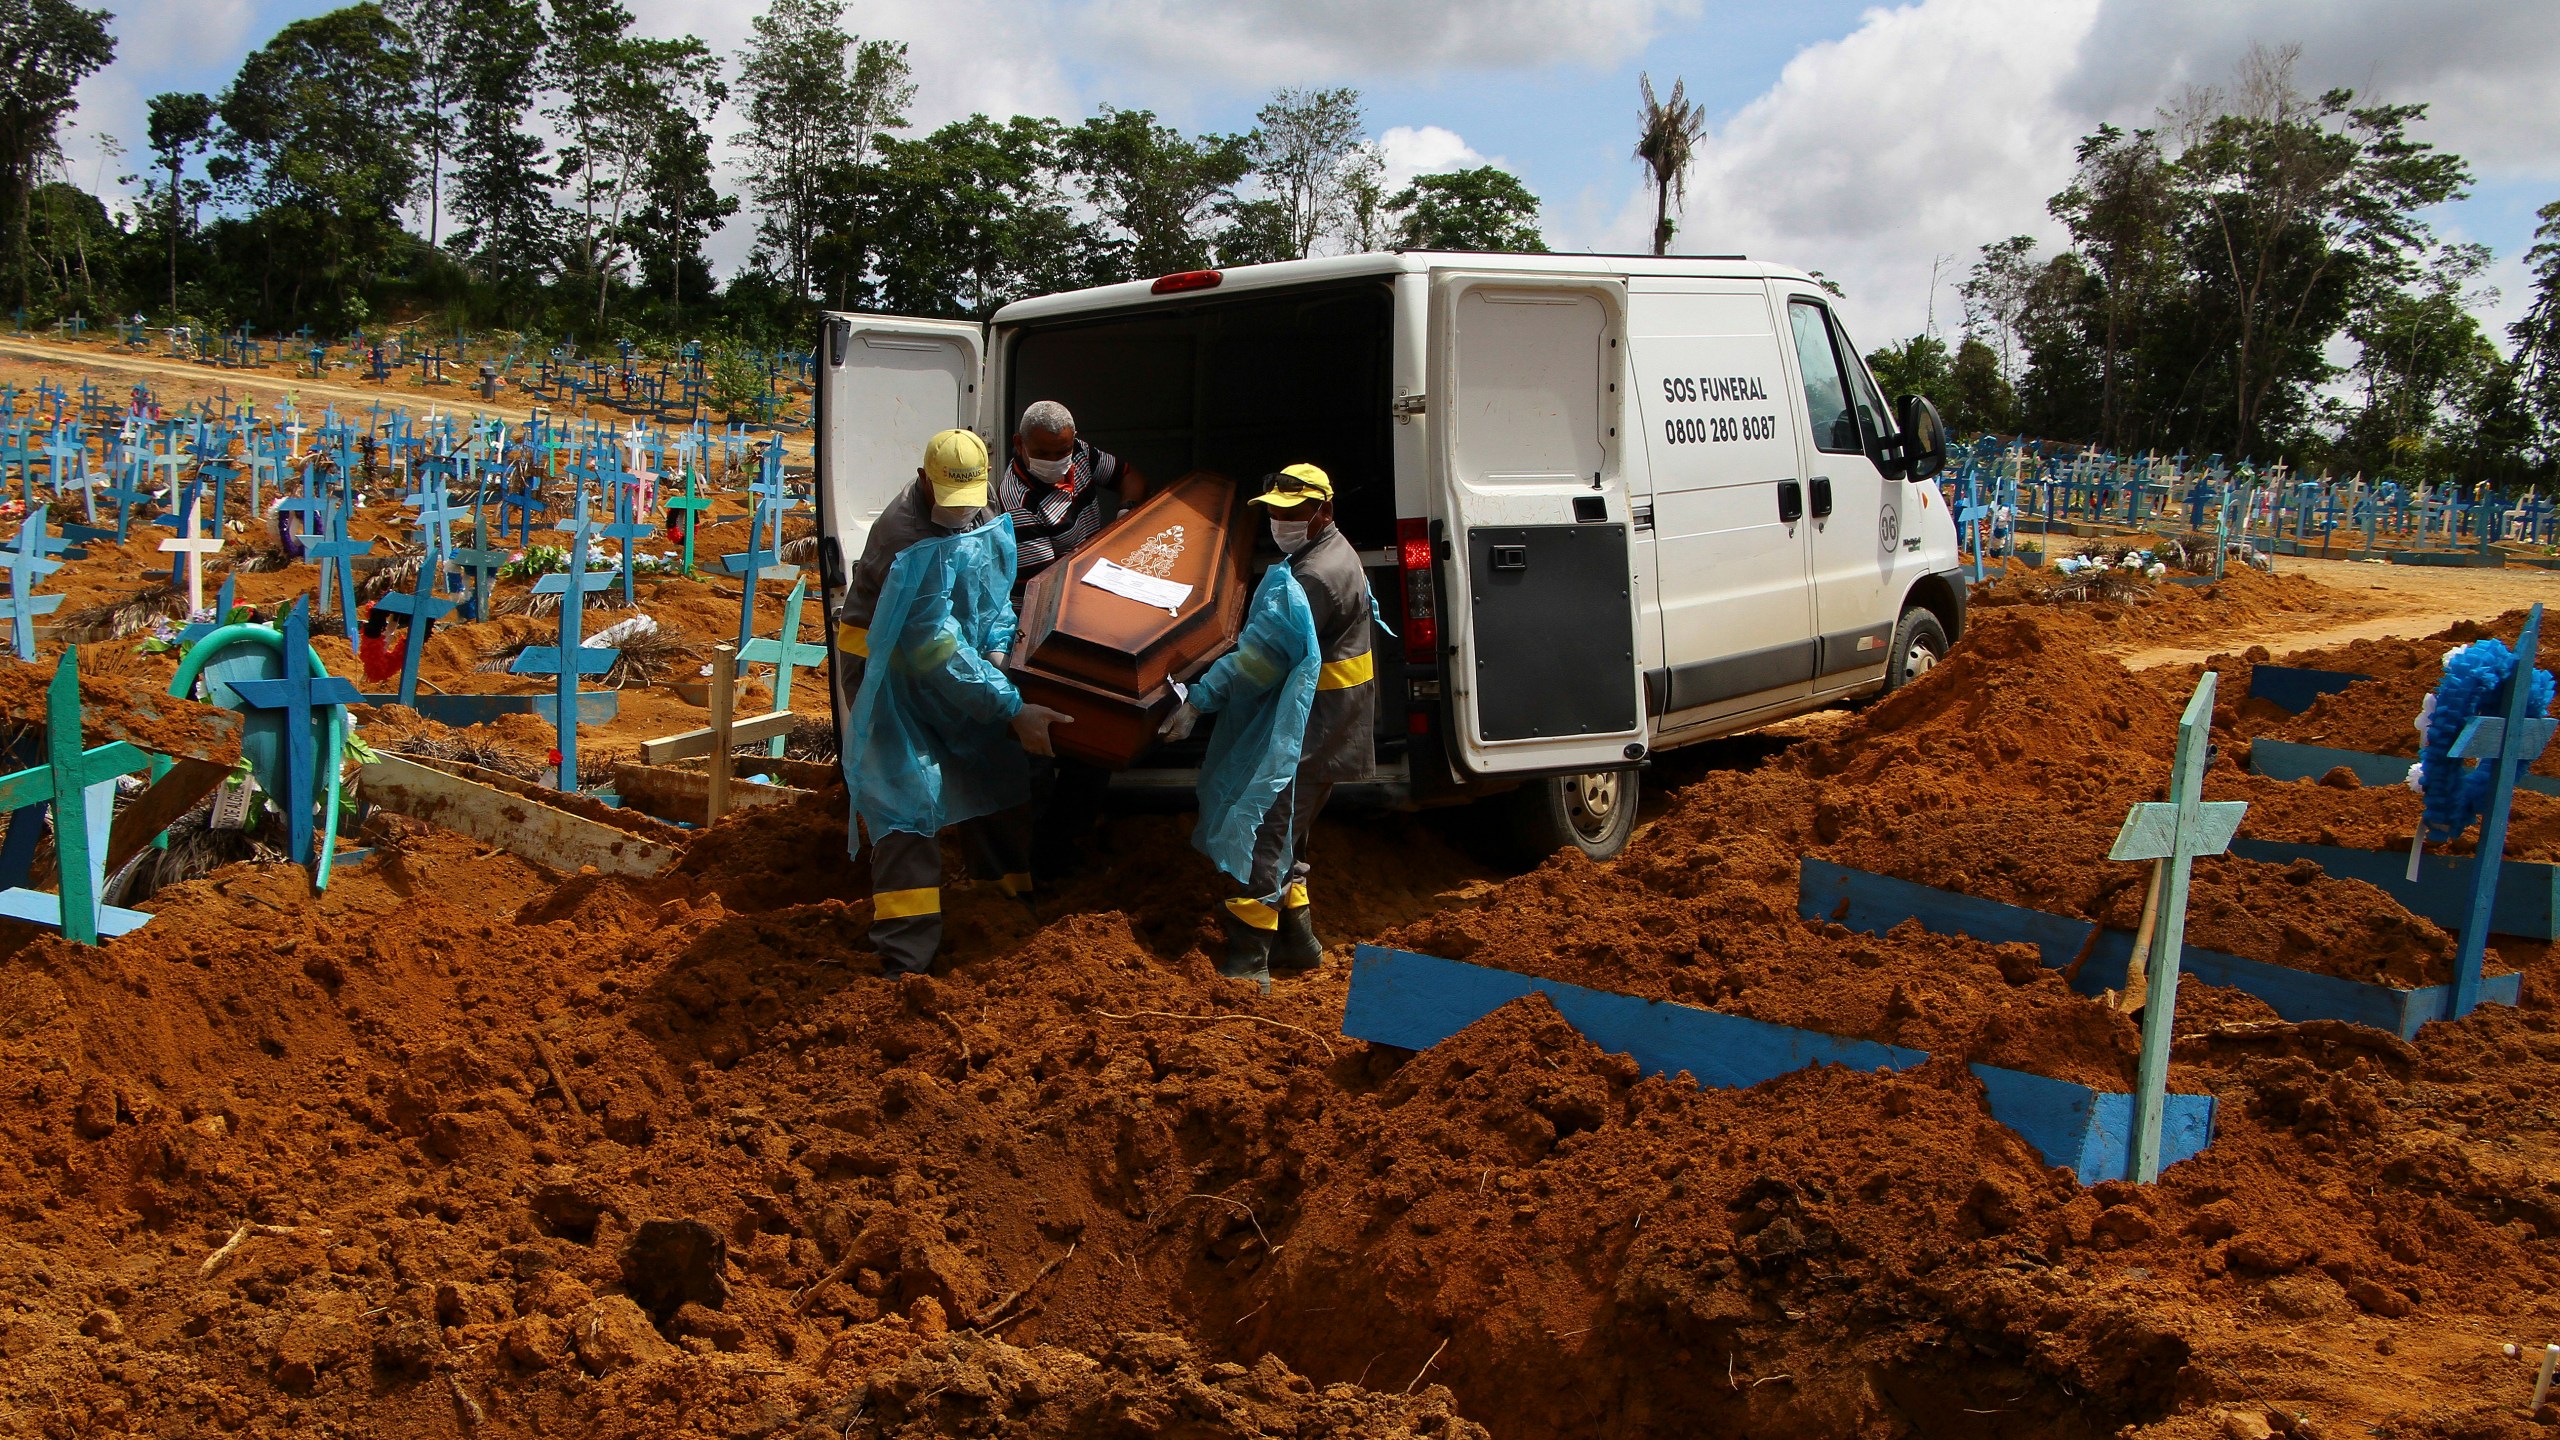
[(1061, 493)]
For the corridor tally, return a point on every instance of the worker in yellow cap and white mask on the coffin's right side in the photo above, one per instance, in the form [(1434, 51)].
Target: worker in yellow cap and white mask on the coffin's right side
[(1297, 711)]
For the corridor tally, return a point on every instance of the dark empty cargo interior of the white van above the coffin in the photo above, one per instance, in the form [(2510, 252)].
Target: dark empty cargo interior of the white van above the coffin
[(1233, 386)]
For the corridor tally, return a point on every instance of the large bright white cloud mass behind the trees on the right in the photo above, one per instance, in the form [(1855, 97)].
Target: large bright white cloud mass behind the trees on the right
[(1947, 124)]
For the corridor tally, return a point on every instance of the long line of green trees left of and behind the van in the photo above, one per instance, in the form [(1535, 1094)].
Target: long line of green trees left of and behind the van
[(544, 168)]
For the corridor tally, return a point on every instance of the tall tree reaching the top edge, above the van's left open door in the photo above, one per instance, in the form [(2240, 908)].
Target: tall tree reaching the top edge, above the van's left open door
[(818, 104)]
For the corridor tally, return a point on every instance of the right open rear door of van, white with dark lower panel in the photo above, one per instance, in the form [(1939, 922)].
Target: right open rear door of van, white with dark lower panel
[(1530, 393)]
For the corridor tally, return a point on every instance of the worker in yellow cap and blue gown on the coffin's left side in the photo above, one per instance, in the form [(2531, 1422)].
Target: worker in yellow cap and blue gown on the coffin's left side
[(938, 732)]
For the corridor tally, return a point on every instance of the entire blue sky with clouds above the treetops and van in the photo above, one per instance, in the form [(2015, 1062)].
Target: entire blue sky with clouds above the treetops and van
[(1873, 142)]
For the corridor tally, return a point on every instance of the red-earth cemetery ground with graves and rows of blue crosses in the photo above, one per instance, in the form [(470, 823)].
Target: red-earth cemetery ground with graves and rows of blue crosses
[(439, 998)]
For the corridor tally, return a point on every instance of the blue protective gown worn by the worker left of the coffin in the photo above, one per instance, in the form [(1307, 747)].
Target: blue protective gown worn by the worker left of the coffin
[(933, 721)]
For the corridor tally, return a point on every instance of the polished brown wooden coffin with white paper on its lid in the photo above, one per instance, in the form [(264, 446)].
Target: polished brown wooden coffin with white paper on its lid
[(1110, 657)]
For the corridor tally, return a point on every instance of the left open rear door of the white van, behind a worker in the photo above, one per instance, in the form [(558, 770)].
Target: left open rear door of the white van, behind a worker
[(884, 386)]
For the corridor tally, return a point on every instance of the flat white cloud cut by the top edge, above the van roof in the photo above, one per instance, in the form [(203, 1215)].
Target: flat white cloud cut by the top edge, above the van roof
[(1294, 42)]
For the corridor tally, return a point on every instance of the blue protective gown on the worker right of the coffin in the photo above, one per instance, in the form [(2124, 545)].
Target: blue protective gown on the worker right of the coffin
[(1261, 696)]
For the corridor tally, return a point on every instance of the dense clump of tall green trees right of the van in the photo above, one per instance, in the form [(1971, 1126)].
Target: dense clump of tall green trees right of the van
[(2221, 263)]
